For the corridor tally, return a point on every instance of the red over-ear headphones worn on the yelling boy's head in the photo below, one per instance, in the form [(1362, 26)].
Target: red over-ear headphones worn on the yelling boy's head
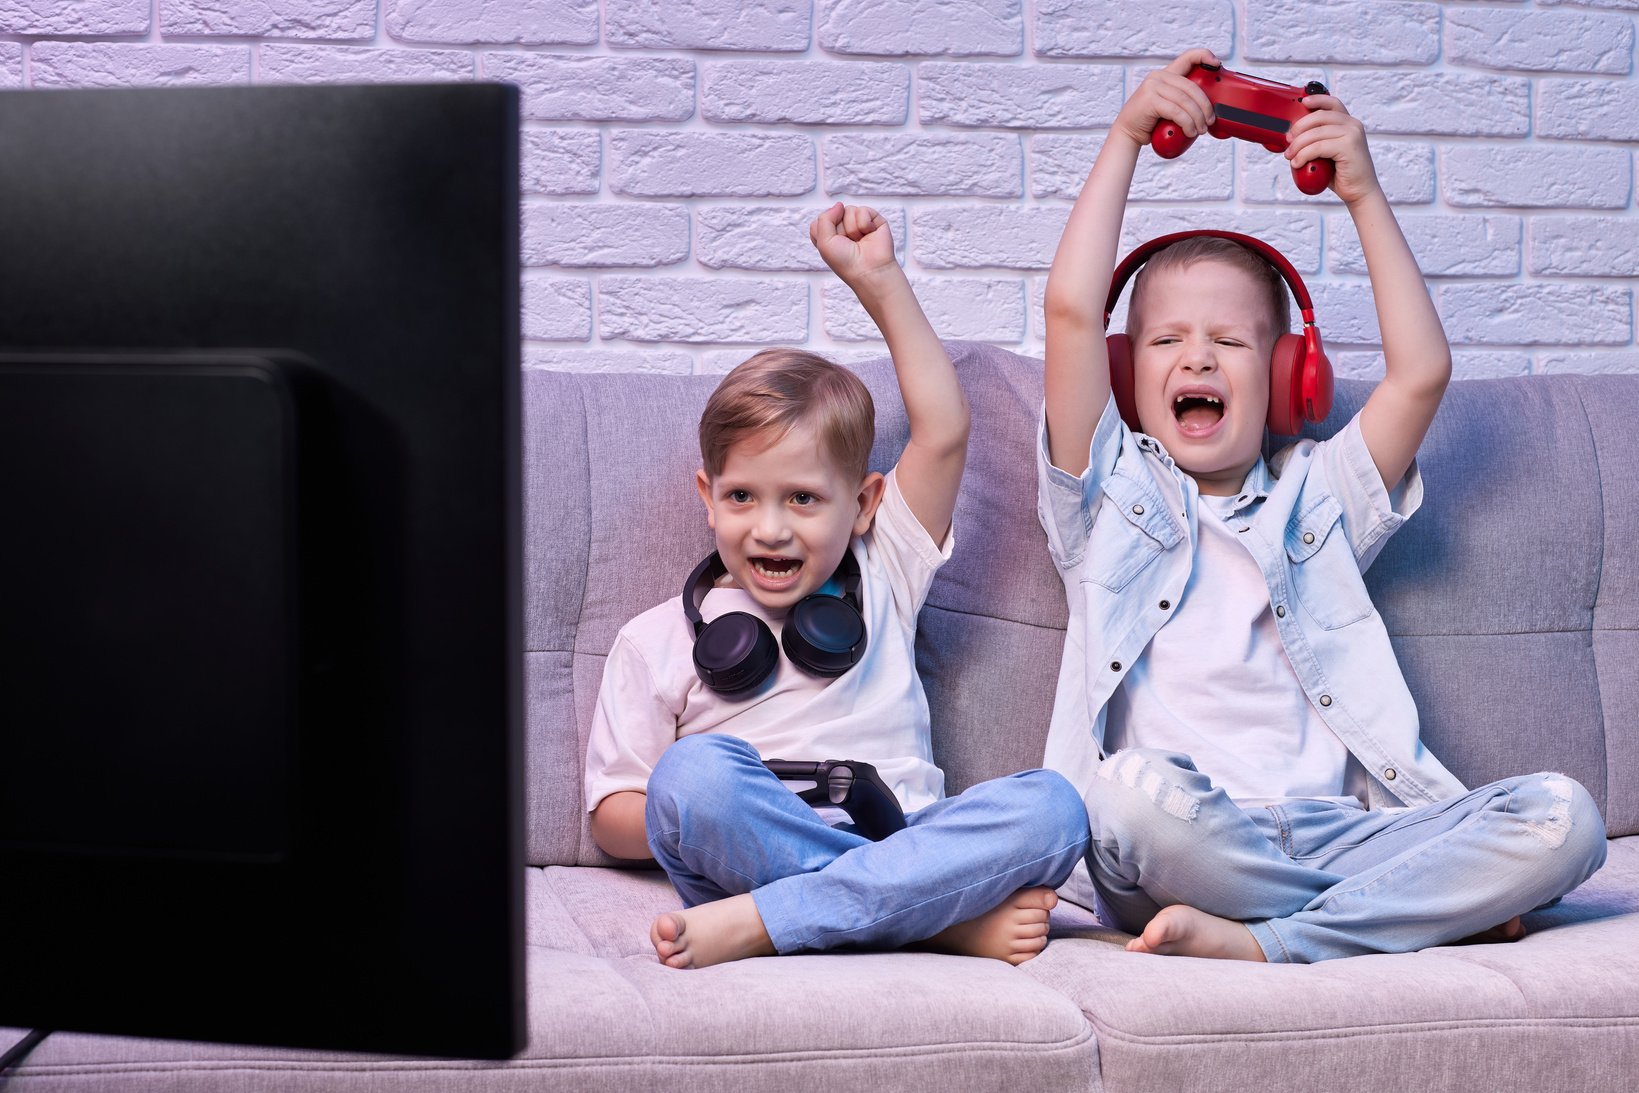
[(1299, 373)]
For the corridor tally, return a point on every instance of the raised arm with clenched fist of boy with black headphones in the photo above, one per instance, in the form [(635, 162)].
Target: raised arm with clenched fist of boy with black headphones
[(856, 243)]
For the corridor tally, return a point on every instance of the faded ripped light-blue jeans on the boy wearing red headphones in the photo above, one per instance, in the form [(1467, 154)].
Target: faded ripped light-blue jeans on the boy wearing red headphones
[(1317, 881)]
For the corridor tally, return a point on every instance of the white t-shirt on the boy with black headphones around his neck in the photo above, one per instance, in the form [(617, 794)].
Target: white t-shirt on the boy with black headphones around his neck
[(876, 712)]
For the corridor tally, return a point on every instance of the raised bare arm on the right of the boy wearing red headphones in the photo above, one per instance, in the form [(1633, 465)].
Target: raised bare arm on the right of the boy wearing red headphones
[(1417, 358)]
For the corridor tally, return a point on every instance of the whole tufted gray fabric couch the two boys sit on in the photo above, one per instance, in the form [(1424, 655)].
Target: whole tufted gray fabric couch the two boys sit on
[(1514, 601)]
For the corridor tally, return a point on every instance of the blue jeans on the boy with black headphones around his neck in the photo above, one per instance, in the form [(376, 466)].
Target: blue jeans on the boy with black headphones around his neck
[(722, 825)]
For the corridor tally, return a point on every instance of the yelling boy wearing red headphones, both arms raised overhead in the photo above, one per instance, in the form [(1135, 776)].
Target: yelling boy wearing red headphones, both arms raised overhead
[(1228, 699)]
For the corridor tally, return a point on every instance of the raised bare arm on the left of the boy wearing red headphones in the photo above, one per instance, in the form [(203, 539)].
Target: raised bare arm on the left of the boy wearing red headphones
[(1078, 376)]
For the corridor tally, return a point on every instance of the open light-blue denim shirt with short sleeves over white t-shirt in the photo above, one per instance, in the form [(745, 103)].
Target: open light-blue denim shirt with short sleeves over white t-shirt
[(1314, 519)]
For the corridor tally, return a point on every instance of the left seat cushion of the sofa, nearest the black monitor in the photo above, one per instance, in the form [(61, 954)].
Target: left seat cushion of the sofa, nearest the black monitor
[(606, 1015)]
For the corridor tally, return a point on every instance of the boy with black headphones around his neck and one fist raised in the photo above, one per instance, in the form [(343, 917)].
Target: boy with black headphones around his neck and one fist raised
[(838, 561)]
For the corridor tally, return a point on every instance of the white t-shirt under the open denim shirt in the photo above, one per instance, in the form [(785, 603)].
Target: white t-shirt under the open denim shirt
[(1217, 686)]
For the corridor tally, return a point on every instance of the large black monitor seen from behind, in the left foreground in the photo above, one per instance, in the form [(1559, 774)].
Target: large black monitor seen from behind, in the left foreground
[(260, 566)]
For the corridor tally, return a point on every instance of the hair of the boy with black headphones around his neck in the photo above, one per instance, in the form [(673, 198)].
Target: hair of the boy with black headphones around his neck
[(779, 389)]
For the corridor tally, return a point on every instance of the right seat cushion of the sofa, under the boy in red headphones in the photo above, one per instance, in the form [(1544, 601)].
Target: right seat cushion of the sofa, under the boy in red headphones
[(1558, 1010)]
